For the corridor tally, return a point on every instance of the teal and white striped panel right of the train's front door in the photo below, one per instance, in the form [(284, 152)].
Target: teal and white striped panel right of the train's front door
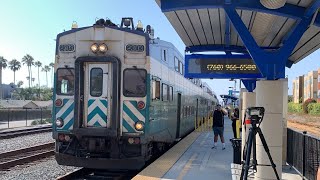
[(130, 115)]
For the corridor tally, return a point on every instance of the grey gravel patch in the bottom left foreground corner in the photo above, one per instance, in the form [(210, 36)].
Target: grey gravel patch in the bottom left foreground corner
[(44, 169)]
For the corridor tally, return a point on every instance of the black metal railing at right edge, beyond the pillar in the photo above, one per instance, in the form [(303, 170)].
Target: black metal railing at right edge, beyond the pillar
[(303, 153)]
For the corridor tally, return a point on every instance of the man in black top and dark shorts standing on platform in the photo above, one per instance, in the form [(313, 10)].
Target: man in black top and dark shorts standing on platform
[(218, 125)]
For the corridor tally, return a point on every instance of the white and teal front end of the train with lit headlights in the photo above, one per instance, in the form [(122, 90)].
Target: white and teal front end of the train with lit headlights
[(90, 110)]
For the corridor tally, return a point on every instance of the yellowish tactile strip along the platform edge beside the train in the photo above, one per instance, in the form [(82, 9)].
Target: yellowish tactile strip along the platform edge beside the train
[(162, 165)]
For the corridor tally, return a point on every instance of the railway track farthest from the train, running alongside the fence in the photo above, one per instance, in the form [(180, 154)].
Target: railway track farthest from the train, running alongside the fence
[(5, 134)]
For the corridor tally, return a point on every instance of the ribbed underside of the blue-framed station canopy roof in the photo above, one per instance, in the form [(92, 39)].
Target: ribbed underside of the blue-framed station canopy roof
[(203, 25)]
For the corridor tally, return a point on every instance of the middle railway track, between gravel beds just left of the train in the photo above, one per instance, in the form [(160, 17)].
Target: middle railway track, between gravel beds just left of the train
[(25, 155)]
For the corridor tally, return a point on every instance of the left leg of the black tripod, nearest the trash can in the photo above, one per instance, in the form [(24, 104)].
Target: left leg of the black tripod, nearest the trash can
[(246, 164)]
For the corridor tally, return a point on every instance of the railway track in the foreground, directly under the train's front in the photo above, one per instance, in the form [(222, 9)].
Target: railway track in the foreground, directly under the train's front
[(85, 173)]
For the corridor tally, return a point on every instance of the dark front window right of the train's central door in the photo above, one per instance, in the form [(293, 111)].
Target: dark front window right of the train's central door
[(134, 83)]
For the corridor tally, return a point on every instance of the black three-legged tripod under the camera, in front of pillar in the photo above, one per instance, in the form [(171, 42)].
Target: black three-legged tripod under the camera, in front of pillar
[(251, 146)]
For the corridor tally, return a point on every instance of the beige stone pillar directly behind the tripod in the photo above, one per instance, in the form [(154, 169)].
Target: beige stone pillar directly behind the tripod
[(269, 94)]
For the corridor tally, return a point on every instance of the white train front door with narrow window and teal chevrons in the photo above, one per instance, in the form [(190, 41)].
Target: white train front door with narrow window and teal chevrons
[(96, 95)]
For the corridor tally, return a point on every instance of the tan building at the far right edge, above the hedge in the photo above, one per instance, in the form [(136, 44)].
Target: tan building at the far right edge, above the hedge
[(311, 86)]
